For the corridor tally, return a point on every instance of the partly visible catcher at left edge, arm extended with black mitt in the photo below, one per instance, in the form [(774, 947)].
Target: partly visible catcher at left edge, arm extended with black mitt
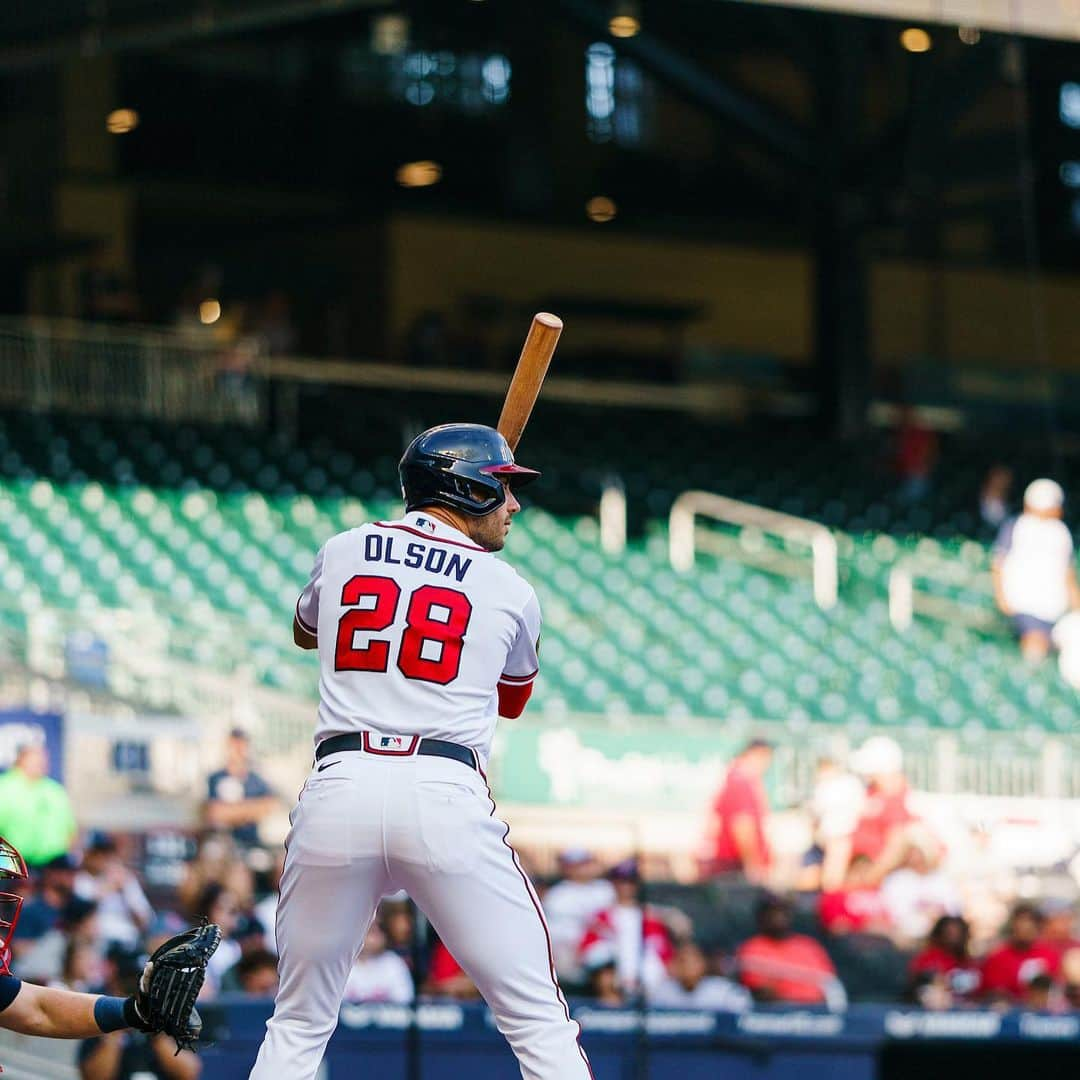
[(53, 1014)]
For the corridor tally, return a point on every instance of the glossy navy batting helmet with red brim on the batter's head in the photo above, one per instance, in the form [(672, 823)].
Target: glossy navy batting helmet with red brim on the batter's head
[(461, 466)]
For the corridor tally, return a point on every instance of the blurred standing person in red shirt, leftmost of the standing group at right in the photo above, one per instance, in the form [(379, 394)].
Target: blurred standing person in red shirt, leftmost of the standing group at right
[(739, 842)]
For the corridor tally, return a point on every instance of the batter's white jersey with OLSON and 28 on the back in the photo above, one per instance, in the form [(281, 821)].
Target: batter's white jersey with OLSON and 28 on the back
[(417, 627)]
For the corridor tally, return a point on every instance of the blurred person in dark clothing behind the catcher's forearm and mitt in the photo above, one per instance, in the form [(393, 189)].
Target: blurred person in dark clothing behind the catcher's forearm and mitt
[(129, 1055)]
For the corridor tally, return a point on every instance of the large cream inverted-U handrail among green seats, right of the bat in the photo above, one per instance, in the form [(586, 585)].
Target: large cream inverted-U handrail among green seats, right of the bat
[(753, 524)]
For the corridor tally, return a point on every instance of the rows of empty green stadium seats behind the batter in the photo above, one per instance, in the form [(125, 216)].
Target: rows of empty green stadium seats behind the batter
[(212, 533)]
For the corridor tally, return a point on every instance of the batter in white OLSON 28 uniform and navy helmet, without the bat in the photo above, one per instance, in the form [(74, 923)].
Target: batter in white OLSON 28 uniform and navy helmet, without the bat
[(425, 639)]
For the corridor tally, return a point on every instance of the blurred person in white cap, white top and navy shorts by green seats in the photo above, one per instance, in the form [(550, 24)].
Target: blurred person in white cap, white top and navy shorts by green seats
[(1035, 583)]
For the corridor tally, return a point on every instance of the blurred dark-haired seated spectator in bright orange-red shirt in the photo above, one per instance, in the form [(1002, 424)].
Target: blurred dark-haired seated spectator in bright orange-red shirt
[(779, 965)]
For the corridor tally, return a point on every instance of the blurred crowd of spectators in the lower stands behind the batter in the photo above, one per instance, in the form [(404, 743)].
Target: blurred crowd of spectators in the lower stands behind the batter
[(874, 875)]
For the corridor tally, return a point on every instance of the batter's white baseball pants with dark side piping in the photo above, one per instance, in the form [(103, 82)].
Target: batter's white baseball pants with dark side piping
[(369, 827)]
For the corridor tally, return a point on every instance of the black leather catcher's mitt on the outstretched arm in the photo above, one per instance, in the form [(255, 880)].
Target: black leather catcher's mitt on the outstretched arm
[(170, 983)]
